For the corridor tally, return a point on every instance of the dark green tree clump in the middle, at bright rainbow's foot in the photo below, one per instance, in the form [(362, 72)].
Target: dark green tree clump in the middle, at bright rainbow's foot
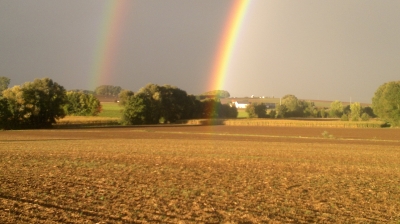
[(154, 103)]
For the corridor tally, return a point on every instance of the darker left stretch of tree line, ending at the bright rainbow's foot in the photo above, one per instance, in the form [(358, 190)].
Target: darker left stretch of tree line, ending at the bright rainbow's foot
[(40, 103)]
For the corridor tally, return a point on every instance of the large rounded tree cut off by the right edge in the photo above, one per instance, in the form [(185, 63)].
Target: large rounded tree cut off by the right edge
[(386, 102)]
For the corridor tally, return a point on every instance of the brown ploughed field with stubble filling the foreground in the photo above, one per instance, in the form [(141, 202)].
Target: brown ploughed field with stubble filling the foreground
[(200, 174)]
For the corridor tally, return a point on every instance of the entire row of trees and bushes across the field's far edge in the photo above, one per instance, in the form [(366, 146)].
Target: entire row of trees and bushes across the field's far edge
[(42, 102)]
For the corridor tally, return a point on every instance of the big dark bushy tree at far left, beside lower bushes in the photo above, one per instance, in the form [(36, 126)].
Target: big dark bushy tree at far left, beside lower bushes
[(35, 104)]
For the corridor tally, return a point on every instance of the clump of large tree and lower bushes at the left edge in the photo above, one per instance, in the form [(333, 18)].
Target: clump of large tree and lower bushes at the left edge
[(40, 103)]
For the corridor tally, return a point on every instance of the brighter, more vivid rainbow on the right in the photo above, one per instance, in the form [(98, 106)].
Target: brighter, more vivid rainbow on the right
[(227, 43)]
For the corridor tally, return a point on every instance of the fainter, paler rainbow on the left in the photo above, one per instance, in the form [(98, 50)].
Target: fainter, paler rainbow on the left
[(107, 43)]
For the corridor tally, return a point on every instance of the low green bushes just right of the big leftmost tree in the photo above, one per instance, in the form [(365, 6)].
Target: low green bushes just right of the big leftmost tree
[(82, 104)]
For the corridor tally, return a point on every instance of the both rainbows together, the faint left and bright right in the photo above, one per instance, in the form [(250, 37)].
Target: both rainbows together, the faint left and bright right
[(110, 32)]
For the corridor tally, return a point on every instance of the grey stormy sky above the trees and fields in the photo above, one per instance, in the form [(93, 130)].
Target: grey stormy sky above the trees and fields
[(322, 50)]
